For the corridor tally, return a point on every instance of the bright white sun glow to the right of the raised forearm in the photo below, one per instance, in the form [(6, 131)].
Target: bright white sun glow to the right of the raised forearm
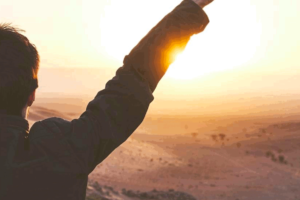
[(212, 51)]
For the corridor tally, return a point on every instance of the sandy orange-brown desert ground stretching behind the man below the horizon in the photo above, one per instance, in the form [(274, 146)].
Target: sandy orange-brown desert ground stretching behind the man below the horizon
[(202, 157)]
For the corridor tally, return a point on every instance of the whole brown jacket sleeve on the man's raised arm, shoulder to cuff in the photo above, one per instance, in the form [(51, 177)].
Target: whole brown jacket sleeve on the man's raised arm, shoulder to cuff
[(114, 114)]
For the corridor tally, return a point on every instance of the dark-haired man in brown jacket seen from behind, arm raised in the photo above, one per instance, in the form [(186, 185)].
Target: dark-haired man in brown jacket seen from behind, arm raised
[(54, 159)]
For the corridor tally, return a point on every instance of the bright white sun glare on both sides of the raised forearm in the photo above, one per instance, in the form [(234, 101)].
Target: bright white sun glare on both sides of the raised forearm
[(220, 47)]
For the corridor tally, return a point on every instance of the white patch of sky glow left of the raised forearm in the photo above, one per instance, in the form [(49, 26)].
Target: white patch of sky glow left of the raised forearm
[(122, 29)]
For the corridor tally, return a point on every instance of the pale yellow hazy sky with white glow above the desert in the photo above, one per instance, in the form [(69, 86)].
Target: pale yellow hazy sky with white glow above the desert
[(256, 41)]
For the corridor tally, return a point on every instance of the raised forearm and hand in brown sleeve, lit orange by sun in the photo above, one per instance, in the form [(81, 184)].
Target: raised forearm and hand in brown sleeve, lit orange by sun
[(155, 52)]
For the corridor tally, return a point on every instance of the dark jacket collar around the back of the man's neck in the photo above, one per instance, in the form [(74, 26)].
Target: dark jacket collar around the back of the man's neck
[(14, 121)]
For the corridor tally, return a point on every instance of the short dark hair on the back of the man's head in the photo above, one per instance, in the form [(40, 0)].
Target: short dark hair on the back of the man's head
[(19, 64)]
